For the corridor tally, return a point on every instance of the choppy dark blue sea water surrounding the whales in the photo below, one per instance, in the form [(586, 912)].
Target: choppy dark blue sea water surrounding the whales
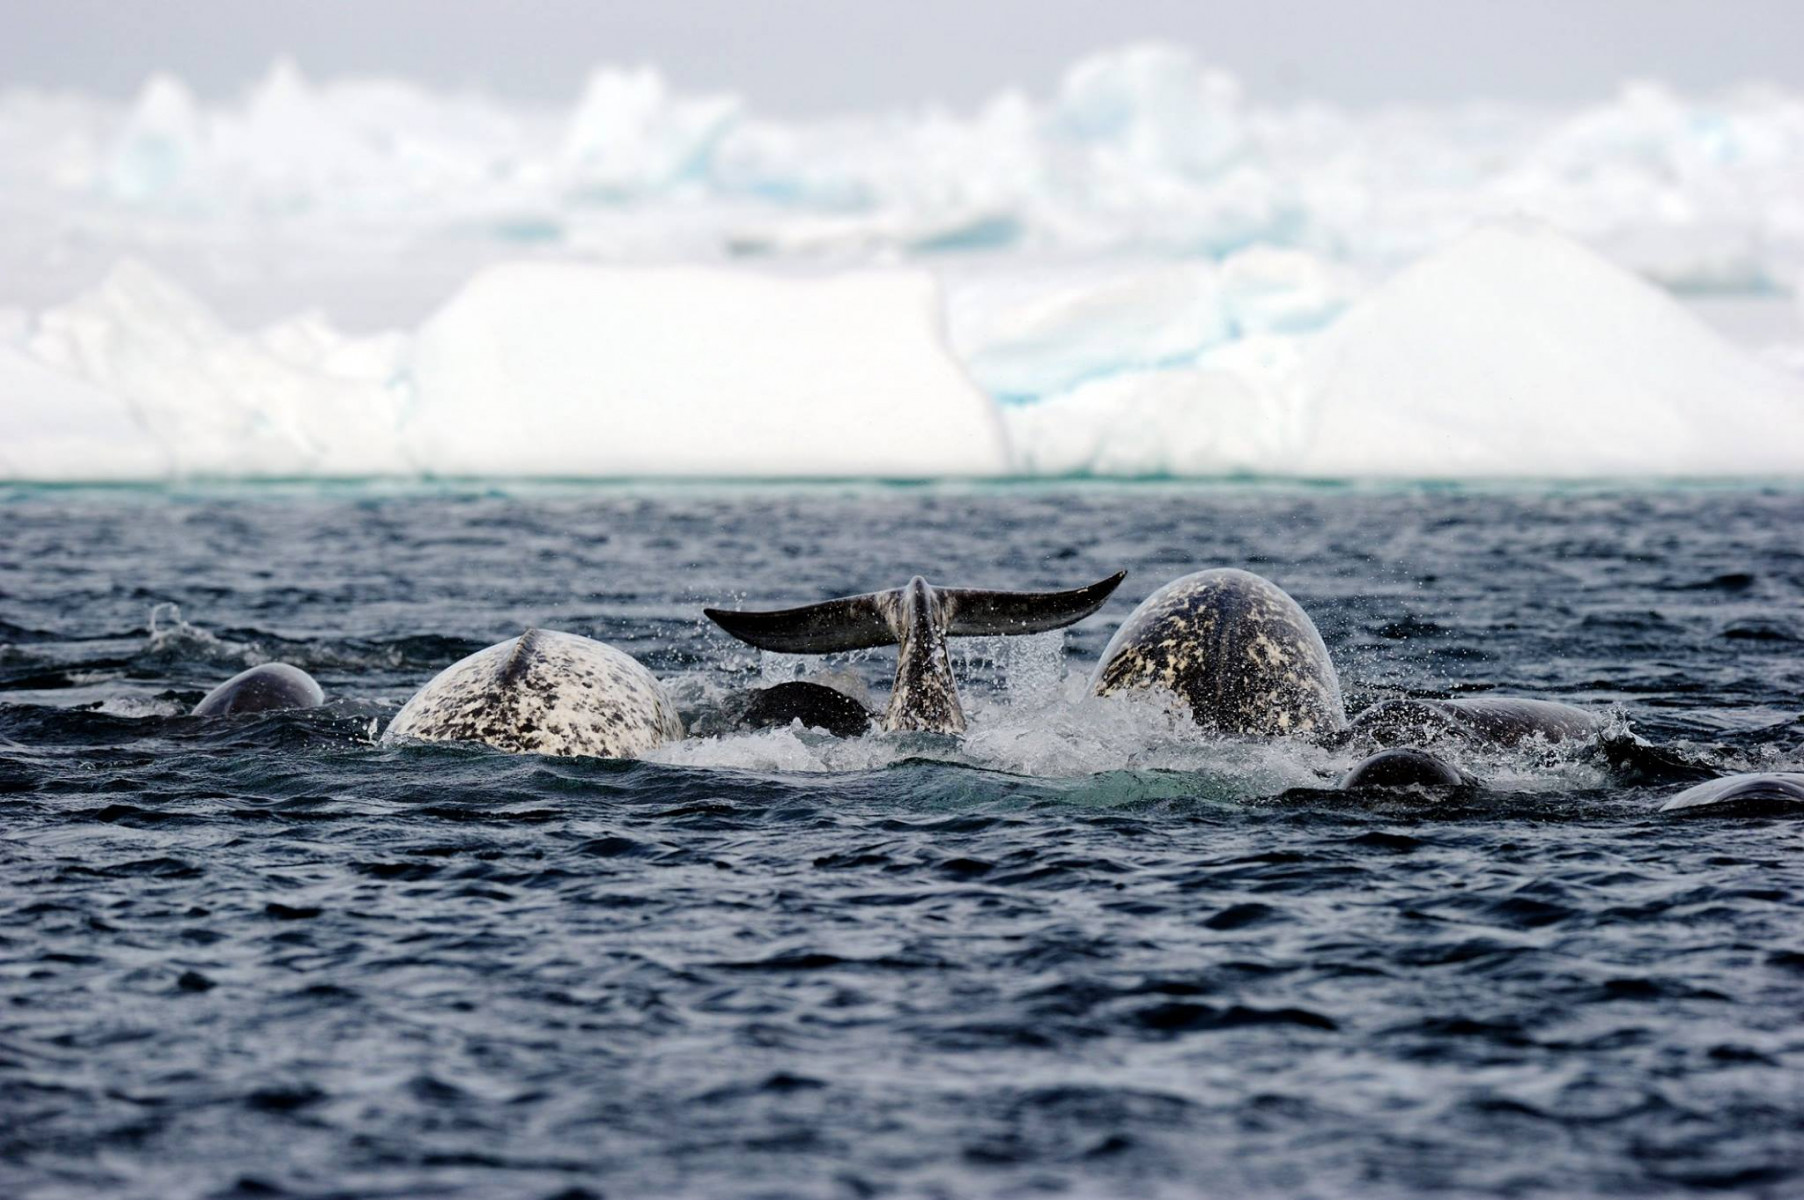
[(1078, 954)]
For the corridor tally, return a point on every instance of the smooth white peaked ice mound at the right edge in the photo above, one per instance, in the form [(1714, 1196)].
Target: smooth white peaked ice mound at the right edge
[(1520, 353)]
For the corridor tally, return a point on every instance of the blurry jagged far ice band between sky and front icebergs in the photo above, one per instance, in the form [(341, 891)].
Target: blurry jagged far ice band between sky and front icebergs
[(1141, 149)]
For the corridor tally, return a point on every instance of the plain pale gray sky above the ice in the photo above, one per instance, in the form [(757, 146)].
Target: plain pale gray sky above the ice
[(807, 57)]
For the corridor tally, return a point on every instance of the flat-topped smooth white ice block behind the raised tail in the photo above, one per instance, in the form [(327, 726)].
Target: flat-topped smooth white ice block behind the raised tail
[(575, 371)]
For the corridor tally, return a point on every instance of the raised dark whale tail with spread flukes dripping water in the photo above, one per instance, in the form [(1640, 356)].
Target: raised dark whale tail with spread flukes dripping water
[(916, 618)]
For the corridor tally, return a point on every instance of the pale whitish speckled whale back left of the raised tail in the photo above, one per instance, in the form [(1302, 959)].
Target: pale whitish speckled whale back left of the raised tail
[(544, 694)]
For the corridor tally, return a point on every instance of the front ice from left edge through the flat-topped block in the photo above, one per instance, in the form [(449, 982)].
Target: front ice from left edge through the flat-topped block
[(529, 371)]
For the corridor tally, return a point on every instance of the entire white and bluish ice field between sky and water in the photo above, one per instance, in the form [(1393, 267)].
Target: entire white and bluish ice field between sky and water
[(1143, 273)]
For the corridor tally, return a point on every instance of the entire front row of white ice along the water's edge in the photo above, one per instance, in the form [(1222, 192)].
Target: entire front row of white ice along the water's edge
[(1514, 353)]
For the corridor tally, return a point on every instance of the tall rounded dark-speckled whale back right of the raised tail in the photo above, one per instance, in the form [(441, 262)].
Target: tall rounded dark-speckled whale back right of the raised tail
[(1246, 656)]
